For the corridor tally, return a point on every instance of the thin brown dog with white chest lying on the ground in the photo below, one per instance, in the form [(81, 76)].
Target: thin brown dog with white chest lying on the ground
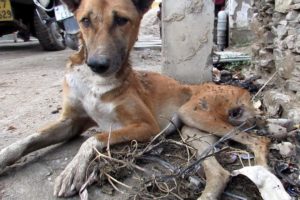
[(100, 88)]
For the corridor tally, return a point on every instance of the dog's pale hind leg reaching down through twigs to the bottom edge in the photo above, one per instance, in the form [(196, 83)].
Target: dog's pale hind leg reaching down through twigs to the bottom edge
[(216, 176)]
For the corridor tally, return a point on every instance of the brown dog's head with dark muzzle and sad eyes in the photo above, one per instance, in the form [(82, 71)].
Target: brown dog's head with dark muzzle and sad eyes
[(109, 29)]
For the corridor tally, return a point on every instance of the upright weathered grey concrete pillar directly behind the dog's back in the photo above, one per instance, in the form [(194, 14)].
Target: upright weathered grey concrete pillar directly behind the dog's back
[(188, 39)]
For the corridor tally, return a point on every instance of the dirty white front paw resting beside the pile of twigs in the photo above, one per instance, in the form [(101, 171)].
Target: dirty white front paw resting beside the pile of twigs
[(69, 182)]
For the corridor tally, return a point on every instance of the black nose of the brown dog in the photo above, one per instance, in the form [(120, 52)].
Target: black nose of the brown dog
[(99, 64)]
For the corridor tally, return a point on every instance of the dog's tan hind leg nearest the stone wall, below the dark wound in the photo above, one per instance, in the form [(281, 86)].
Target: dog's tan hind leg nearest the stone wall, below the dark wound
[(210, 122)]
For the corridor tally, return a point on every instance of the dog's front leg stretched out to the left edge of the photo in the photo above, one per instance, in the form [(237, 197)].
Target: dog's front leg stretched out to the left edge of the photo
[(54, 133)]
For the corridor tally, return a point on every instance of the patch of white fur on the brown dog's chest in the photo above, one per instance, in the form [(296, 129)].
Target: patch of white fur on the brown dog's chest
[(86, 89)]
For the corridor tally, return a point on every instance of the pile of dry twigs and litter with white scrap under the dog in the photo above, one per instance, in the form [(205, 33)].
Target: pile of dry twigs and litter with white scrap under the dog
[(168, 167)]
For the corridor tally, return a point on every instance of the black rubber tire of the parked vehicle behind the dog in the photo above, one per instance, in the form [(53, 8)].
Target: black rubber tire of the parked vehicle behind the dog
[(46, 35)]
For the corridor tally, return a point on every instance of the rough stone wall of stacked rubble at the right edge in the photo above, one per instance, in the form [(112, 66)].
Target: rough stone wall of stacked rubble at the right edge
[(277, 52)]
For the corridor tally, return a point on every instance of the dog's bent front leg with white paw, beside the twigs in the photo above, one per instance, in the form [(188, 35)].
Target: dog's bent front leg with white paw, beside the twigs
[(73, 177)]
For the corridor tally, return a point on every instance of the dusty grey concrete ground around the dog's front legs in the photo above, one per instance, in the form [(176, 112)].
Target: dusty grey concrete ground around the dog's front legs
[(30, 96)]
